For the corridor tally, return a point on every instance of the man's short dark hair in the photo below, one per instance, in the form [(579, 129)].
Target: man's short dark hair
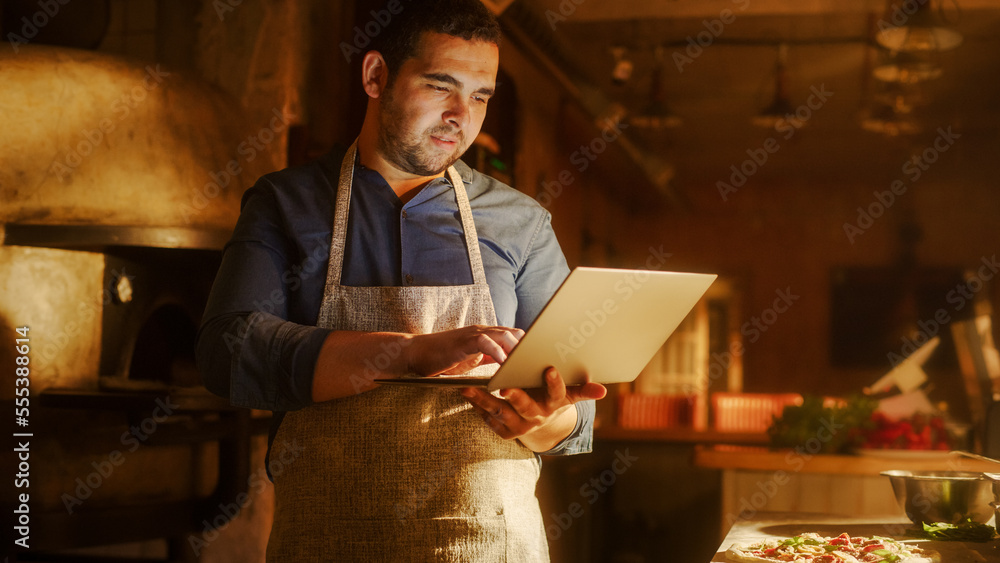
[(467, 19)]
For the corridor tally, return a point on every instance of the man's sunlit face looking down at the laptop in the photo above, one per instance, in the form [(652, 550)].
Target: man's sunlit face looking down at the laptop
[(435, 106)]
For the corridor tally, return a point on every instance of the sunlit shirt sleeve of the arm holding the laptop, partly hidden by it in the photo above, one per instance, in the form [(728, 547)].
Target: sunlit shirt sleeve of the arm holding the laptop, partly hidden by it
[(541, 275)]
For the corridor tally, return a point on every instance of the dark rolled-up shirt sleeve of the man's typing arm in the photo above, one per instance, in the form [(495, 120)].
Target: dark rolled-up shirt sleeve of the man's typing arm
[(248, 350)]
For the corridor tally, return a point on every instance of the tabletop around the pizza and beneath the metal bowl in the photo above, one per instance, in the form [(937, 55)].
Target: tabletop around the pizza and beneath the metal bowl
[(784, 525)]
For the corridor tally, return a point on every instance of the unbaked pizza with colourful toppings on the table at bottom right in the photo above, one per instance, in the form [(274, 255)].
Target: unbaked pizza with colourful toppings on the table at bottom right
[(813, 548)]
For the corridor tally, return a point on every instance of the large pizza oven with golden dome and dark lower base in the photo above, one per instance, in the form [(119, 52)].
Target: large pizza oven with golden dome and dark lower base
[(121, 184)]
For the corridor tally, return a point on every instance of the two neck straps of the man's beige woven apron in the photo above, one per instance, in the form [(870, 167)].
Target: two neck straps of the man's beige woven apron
[(340, 214)]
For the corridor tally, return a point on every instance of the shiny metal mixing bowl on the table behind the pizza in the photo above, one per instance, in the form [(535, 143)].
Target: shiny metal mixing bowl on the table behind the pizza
[(942, 496)]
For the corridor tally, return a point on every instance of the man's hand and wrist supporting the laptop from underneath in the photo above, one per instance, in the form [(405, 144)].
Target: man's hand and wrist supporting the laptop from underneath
[(539, 418)]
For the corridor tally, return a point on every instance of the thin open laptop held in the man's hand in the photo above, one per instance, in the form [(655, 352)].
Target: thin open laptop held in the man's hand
[(603, 323)]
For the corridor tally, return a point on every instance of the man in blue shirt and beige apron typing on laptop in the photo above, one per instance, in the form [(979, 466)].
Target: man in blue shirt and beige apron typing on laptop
[(428, 265)]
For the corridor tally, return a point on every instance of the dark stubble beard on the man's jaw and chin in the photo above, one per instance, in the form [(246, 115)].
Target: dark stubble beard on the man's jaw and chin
[(409, 151)]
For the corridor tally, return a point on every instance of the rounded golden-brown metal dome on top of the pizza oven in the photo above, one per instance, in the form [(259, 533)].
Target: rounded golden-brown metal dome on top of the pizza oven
[(91, 139)]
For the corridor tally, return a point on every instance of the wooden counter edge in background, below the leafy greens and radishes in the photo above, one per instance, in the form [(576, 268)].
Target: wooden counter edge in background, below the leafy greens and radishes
[(868, 463)]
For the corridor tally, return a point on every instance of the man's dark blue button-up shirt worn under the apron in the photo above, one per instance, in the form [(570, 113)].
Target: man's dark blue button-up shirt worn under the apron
[(259, 342)]
